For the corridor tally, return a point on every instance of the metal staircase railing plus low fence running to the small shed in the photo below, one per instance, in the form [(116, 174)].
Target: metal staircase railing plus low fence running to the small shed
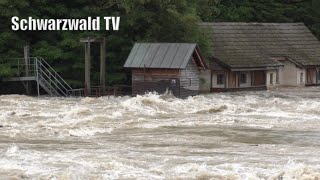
[(55, 85)]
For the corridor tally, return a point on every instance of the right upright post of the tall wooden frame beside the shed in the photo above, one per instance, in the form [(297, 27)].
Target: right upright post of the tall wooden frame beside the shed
[(103, 65)]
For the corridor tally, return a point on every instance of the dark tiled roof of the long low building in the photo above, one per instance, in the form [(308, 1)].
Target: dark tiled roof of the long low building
[(253, 44)]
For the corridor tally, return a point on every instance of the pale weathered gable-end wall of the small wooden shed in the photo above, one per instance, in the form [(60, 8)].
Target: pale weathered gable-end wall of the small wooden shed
[(189, 80)]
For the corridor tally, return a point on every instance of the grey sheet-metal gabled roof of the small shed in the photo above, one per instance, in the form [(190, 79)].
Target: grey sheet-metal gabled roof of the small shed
[(163, 55)]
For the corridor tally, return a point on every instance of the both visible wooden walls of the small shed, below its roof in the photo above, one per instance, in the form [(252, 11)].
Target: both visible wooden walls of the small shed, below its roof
[(182, 83)]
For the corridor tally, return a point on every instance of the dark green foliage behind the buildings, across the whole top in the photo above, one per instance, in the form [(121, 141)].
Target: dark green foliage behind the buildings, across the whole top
[(141, 21)]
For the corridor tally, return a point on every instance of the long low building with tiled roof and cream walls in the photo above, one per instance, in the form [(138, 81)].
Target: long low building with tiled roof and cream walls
[(256, 56)]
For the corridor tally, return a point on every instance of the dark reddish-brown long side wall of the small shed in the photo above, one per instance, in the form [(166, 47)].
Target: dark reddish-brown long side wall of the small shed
[(158, 80)]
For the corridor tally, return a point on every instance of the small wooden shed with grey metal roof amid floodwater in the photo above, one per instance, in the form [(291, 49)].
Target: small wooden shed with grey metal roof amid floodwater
[(166, 66)]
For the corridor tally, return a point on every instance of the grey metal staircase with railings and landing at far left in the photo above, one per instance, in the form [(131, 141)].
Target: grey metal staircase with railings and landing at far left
[(46, 77)]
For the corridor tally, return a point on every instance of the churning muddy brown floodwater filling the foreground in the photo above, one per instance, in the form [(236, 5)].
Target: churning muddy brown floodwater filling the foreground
[(247, 135)]
